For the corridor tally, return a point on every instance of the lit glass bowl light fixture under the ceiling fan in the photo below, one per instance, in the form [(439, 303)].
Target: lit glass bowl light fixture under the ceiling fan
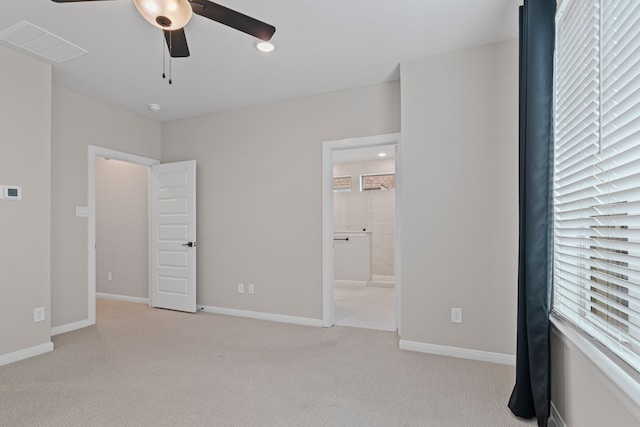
[(165, 14)]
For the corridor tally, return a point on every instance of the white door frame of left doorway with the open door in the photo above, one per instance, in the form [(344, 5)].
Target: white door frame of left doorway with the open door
[(93, 152)]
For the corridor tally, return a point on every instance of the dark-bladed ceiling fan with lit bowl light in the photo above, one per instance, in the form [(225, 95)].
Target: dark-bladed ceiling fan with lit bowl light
[(172, 15)]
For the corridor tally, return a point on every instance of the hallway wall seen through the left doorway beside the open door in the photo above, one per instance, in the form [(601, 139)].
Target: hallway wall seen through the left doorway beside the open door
[(122, 228)]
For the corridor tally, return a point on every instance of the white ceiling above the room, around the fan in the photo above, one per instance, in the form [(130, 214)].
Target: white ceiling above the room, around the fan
[(323, 46)]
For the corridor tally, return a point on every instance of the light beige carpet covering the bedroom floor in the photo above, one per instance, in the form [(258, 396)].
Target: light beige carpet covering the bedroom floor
[(148, 367)]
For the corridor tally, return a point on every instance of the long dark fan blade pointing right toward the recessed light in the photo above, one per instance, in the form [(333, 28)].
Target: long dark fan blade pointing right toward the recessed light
[(233, 19)]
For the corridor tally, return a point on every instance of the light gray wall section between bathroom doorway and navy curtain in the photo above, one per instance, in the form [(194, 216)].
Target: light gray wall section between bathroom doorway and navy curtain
[(459, 198)]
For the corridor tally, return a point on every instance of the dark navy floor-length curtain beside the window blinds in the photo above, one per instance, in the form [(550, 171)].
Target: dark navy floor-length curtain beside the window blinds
[(531, 395)]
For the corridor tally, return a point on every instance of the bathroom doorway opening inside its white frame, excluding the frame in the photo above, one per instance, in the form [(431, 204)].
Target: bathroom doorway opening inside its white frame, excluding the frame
[(363, 237)]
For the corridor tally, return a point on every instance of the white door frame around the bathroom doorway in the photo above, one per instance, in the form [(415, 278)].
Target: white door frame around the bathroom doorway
[(328, 147)]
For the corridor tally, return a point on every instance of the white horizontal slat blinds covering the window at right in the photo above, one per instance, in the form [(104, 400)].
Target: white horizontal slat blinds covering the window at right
[(596, 275)]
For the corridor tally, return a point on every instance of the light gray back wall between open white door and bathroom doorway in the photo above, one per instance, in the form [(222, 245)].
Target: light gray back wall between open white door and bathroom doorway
[(260, 193)]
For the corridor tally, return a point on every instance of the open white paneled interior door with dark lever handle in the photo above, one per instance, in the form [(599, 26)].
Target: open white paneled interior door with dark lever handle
[(173, 236)]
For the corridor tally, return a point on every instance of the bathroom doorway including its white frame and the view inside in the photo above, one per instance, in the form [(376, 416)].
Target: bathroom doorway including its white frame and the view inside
[(361, 281)]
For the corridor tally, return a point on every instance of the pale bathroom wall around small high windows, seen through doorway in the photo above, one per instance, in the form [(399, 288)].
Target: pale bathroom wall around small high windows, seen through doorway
[(373, 210)]
